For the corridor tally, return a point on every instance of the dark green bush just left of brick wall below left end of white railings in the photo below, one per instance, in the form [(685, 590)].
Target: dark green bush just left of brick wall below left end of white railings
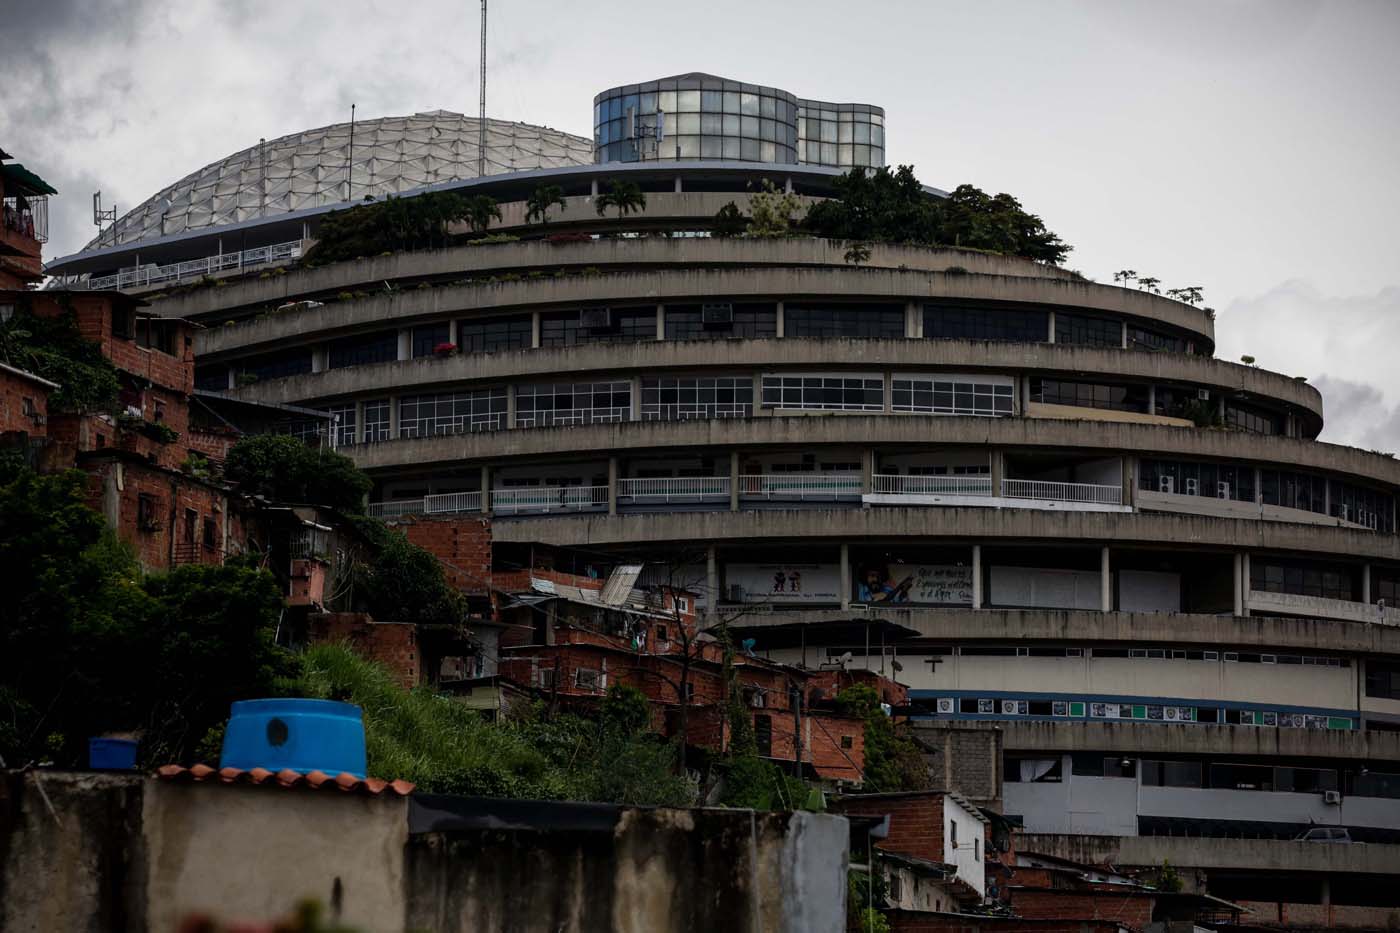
[(398, 582)]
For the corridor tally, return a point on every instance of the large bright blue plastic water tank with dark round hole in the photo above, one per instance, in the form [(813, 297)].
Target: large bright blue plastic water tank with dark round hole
[(302, 735)]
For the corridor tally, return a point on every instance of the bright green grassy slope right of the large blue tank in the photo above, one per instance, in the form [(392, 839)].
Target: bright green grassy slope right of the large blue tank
[(444, 747)]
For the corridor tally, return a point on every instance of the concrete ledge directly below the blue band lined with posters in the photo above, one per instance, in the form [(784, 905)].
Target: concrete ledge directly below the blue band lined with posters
[(1156, 739)]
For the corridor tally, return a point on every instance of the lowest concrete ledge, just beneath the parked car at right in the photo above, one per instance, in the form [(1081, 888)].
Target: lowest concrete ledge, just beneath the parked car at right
[(1261, 855)]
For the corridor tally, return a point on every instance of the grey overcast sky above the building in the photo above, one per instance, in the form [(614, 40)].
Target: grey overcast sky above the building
[(1245, 146)]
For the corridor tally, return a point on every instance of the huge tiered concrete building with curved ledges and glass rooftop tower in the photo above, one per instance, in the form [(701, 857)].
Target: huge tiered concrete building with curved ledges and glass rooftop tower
[(1125, 567)]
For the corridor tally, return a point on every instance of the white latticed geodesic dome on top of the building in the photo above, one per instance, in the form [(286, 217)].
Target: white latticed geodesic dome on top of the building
[(309, 170)]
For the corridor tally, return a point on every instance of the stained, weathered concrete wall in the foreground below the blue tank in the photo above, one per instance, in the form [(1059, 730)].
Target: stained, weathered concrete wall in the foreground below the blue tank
[(125, 852)]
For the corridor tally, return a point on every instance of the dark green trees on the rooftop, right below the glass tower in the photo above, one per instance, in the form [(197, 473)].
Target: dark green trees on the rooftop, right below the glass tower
[(891, 207)]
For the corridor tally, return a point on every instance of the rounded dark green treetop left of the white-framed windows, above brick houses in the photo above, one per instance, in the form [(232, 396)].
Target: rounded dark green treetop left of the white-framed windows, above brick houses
[(285, 469)]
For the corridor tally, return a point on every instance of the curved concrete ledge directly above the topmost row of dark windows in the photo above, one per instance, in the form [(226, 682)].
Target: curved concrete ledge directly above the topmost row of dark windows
[(790, 284)]
